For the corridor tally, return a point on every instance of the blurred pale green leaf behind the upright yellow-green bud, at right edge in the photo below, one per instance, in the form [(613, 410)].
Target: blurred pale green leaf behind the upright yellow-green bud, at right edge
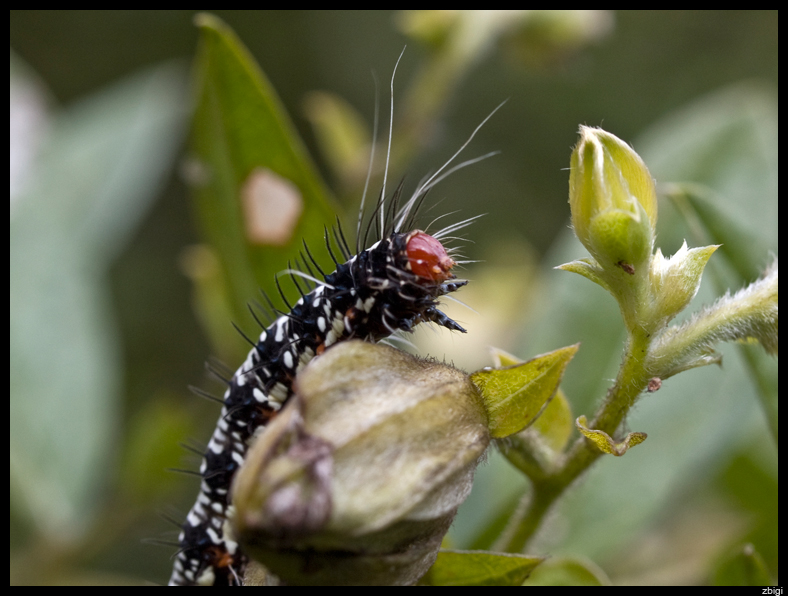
[(725, 141)]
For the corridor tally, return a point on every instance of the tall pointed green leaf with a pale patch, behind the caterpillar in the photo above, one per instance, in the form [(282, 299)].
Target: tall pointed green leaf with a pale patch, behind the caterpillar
[(244, 145)]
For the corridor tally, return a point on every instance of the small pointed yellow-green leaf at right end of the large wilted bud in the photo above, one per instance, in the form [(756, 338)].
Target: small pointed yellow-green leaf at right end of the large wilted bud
[(516, 395)]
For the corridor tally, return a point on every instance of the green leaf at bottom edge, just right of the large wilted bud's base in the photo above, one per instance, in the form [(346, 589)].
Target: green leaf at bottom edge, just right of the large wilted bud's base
[(479, 568)]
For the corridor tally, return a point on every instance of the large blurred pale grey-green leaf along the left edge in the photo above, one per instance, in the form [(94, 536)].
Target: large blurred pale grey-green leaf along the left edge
[(95, 180)]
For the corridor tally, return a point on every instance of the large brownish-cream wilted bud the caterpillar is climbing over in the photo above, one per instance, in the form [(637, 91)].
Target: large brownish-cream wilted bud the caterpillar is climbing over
[(358, 478)]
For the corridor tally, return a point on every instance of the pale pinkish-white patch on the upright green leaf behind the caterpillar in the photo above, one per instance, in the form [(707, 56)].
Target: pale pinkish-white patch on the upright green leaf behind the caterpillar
[(272, 206)]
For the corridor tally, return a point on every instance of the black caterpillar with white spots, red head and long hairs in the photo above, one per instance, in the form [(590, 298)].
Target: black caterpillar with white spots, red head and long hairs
[(392, 286)]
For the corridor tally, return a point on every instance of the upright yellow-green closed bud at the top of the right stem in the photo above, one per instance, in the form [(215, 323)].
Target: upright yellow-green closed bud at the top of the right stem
[(613, 200)]
